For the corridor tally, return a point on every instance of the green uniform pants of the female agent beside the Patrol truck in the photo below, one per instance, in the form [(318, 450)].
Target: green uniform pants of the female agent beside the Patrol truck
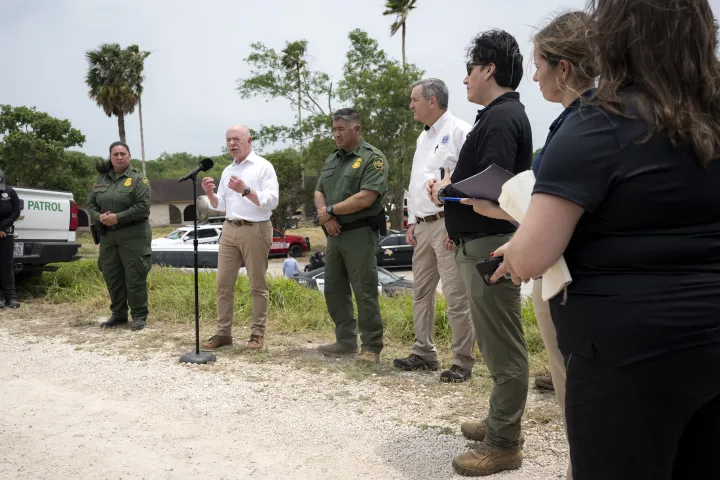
[(125, 261)]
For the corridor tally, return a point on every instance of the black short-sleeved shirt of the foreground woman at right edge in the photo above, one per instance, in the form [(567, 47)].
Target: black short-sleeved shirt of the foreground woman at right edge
[(645, 255)]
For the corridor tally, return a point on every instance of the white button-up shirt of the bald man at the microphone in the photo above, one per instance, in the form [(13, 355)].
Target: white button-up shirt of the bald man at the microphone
[(258, 174)]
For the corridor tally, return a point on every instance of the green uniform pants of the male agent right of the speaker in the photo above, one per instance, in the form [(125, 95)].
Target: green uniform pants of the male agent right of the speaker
[(351, 259)]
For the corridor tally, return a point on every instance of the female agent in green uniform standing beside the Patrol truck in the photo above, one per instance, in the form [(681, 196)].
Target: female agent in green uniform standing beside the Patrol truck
[(119, 206)]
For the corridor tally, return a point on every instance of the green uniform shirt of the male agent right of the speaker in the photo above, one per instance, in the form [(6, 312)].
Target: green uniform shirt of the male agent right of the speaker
[(346, 173)]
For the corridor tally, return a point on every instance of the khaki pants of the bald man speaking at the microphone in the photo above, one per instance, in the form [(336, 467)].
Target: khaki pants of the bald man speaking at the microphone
[(247, 245)]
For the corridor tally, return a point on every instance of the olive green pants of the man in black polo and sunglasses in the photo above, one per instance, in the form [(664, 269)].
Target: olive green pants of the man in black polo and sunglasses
[(495, 311)]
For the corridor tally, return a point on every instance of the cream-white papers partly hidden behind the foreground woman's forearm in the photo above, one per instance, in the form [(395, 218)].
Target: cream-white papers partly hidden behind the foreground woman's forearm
[(515, 199)]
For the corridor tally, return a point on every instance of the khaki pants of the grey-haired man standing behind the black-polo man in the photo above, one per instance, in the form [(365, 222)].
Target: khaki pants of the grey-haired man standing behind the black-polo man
[(432, 262)]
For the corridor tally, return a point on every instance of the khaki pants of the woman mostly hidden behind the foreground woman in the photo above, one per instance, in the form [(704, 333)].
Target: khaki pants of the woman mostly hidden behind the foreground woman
[(555, 358)]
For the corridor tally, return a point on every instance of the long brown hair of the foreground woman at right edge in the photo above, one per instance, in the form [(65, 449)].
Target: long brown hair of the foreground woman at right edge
[(666, 51)]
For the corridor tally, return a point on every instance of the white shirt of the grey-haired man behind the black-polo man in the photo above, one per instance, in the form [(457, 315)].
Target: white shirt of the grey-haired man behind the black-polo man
[(437, 147)]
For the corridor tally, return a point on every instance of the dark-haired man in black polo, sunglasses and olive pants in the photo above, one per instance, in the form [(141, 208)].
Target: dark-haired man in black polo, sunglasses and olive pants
[(501, 135)]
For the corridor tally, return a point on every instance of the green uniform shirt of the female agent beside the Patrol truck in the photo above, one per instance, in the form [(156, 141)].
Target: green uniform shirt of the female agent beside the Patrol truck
[(126, 194)]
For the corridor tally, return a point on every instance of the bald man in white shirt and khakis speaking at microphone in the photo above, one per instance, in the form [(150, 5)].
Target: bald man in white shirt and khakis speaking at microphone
[(248, 193)]
